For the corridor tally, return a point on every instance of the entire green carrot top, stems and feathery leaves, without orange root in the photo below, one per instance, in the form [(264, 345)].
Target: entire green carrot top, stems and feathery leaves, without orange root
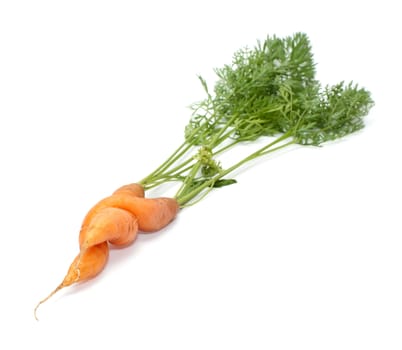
[(268, 91)]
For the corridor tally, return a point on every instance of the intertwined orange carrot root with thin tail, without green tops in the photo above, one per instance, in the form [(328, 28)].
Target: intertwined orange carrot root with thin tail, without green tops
[(115, 220)]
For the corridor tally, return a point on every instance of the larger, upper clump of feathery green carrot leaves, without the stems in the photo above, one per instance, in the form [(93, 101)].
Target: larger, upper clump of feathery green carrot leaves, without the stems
[(249, 92)]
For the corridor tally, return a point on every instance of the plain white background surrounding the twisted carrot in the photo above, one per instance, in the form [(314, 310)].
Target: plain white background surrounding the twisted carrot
[(303, 253)]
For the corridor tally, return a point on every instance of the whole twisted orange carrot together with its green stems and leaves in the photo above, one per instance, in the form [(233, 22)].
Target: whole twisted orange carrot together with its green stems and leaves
[(269, 91)]
